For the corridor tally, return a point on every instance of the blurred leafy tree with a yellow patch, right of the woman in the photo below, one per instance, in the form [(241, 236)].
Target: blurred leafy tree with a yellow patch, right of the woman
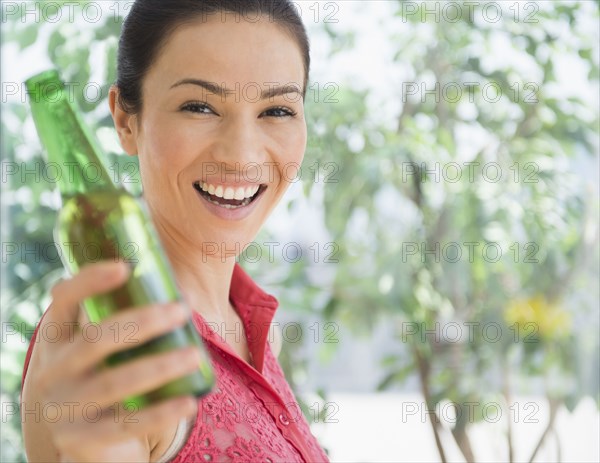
[(476, 328)]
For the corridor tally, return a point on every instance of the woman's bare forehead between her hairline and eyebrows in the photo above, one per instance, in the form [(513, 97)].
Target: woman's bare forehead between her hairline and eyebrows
[(228, 51)]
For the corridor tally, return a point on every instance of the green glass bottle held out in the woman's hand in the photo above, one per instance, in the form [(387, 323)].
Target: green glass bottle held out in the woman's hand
[(101, 221)]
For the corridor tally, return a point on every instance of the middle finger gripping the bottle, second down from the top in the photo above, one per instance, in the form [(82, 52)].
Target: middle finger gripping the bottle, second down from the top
[(115, 334)]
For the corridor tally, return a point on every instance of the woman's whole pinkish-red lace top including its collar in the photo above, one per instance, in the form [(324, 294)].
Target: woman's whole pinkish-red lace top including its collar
[(252, 415)]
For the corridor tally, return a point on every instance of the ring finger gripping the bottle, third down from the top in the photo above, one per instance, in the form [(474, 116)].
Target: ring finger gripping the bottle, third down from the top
[(137, 377)]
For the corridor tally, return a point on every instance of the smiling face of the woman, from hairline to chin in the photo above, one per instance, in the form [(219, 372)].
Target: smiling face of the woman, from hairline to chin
[(214, 165)]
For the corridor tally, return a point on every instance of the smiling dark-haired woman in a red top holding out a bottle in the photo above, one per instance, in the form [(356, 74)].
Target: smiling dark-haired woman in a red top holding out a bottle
[(210, 97)]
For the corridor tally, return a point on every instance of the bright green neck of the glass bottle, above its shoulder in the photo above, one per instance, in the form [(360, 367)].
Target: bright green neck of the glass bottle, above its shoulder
[(69, 146)]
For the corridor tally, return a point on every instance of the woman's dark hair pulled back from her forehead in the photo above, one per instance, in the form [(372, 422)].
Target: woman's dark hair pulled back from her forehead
[(150, 22)]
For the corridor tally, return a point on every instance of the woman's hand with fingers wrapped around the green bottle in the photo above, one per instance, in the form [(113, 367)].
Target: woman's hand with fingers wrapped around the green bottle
[(70, 409)]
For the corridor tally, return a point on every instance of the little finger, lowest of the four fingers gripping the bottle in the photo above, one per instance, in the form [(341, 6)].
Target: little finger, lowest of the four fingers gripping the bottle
[(125, 424)]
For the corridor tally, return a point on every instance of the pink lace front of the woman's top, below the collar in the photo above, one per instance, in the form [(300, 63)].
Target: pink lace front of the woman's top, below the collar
[(248, 417)]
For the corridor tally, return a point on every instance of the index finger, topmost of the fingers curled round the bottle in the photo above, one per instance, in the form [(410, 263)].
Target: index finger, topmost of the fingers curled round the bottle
[(92, 279)]
